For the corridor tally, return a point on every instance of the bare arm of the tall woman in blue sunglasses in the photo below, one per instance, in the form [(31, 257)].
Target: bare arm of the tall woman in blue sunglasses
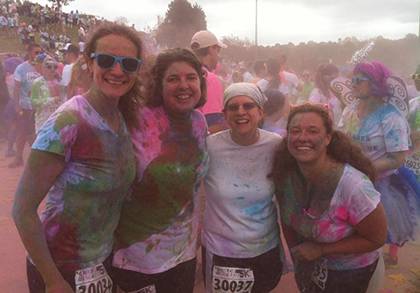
[(41, 171)]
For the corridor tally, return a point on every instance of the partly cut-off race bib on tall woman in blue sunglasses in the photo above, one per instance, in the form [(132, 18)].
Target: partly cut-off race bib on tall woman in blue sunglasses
[(94, 279)]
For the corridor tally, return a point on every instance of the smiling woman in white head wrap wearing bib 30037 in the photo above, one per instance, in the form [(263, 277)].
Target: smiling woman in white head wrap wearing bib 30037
[(241, 241)]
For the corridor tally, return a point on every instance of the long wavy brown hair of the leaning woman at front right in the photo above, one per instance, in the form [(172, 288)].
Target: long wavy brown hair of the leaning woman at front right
[(341, 148)]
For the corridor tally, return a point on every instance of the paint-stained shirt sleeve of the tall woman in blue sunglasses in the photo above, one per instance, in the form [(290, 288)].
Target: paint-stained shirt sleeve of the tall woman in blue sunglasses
[(58, 134)]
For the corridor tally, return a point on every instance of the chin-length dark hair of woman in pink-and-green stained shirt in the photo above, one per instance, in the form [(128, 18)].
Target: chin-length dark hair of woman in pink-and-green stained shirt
[(162, 63)]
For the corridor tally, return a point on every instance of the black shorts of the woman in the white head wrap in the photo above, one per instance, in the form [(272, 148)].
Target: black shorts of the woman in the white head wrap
[(266, 269)]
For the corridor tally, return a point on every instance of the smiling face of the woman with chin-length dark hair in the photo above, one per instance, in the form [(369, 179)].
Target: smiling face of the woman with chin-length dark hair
[(180, 88)]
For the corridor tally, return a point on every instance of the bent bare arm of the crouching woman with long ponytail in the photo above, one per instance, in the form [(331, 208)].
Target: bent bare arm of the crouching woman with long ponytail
[(370, 235)]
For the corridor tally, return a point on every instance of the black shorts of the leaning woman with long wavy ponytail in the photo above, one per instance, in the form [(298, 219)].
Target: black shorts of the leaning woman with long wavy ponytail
[(345, 281)]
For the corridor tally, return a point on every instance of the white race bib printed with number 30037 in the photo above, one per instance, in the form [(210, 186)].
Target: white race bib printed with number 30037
[(227, 279)]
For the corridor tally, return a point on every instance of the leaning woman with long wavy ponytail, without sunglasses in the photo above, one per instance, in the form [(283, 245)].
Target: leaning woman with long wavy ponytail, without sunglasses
[(331, 214)]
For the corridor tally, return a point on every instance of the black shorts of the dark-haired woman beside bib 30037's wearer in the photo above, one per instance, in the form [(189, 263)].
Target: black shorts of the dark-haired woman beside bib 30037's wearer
[(179, 279)]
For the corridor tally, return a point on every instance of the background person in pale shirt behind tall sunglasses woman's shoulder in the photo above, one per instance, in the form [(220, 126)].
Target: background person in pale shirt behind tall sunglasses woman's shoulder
[(45, 91)]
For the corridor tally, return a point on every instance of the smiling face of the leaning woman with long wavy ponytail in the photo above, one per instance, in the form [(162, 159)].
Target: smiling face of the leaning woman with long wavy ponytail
[(307, 139)]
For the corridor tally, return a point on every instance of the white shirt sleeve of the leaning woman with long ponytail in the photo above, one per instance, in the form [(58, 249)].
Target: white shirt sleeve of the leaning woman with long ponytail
[(364, 198)]
